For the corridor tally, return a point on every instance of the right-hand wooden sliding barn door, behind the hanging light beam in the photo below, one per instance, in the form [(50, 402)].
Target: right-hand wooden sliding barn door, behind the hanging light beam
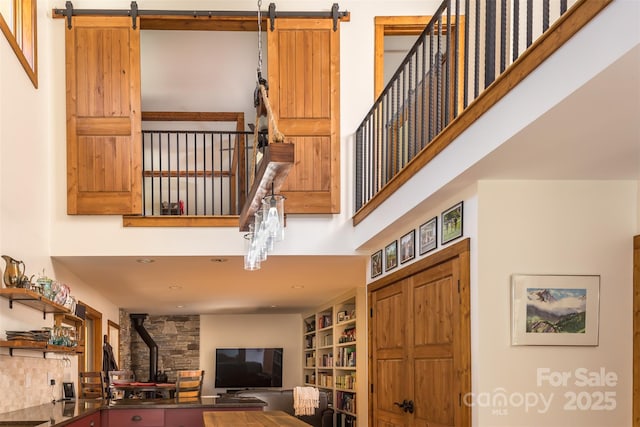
[(304, 73)]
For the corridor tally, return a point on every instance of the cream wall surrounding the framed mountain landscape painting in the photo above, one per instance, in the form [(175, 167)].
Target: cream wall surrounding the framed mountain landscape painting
[(553, 227)]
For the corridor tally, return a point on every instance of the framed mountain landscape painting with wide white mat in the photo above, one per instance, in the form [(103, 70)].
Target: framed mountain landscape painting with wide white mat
[(555, 310)]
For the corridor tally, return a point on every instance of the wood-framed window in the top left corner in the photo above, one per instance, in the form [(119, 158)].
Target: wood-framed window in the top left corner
[(25, 44)]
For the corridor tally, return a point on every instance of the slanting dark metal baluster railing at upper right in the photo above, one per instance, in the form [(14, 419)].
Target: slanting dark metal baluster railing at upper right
[(461, 52)]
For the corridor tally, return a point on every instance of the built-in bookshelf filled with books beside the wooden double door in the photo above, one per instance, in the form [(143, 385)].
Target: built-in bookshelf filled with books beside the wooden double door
[(334, 355)]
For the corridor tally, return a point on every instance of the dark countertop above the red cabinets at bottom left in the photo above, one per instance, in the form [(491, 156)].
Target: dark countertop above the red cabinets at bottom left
[(64, 413)]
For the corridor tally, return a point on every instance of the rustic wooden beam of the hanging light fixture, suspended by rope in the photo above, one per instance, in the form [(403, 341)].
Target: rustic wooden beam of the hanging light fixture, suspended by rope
[(272, 171)]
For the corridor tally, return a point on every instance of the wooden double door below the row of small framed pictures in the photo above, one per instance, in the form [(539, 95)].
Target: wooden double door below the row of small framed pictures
[(420, 343)]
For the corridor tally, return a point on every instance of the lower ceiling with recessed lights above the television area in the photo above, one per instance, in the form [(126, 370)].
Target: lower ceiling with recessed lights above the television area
[(204, 285)]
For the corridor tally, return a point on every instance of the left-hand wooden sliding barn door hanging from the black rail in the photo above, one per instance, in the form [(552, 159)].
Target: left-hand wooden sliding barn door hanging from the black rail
[(103, 116)]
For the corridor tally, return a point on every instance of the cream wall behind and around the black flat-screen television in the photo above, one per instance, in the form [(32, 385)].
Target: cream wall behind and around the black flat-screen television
[(277, 330)]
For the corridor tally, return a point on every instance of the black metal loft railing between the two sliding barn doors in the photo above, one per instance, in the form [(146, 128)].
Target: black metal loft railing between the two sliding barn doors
[(193, 172)]
